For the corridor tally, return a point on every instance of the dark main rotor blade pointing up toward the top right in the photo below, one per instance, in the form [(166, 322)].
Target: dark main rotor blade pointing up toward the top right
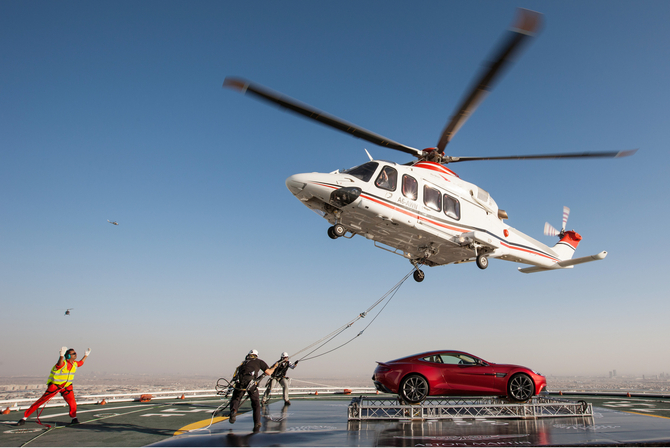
[(527, 24)]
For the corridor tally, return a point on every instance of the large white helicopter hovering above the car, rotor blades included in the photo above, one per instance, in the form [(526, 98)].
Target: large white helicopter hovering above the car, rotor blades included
[(423, 210)]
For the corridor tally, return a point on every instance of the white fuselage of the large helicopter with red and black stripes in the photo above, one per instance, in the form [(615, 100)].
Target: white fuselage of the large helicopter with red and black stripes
[(426, 213)]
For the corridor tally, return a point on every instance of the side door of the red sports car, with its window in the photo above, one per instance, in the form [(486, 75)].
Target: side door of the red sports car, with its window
[(466, 375)]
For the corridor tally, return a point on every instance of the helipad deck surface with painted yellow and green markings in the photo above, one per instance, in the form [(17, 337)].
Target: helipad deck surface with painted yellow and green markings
[(323, 421)]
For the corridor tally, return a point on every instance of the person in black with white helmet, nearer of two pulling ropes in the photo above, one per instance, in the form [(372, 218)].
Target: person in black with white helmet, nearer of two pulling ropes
[(247, 373)]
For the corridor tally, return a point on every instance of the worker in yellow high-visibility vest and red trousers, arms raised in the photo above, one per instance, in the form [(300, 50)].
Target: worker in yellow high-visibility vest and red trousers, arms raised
[(60, 381)]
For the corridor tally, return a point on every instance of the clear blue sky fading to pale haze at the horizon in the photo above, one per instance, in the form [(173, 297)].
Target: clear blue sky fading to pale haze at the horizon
[(115, 111)]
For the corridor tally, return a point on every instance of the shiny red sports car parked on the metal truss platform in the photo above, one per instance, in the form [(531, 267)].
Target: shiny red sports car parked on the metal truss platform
[(450, 372)]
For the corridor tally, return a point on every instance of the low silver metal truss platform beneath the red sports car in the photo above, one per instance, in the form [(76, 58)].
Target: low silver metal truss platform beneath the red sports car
[(376, 408)]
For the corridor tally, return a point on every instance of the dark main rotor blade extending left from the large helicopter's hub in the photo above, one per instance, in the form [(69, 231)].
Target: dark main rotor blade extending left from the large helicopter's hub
[(263, 93)]
